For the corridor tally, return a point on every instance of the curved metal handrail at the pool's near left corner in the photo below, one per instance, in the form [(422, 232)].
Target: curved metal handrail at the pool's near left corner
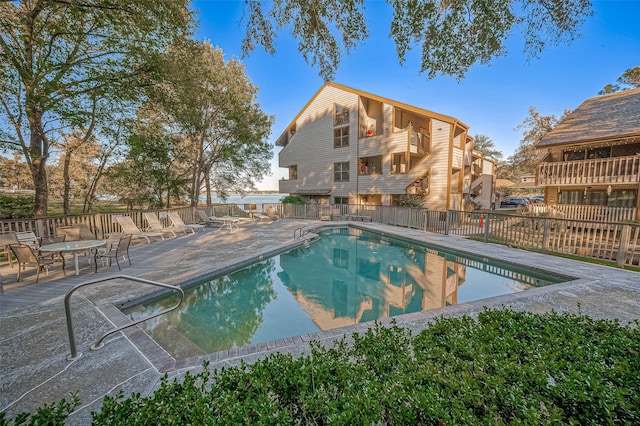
[(98, 344)]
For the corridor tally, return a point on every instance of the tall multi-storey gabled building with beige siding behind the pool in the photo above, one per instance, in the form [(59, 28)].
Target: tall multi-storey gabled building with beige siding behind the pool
[(350, 147)]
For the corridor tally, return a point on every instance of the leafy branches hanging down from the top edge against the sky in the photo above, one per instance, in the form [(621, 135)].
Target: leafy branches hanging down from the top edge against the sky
[(452, 34)]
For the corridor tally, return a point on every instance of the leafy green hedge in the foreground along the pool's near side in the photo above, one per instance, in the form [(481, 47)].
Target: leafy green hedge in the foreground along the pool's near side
[(504, 367)]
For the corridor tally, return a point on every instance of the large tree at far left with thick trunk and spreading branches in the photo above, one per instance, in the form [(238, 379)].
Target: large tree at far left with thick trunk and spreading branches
[(58, 57)]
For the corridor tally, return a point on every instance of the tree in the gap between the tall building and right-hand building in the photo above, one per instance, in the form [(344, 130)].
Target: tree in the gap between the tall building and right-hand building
[(525, 159)]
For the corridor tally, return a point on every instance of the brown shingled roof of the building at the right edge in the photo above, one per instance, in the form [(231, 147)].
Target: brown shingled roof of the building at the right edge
[(613, 116)]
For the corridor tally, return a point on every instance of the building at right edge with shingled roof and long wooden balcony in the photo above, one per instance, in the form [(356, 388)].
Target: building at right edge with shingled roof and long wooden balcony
[(593, 156)]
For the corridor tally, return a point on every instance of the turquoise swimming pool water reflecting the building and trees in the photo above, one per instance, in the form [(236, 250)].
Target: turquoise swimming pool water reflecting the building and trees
[(346, 277)]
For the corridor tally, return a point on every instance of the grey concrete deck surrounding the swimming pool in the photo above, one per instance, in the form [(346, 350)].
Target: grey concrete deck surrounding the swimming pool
[(33, 336)]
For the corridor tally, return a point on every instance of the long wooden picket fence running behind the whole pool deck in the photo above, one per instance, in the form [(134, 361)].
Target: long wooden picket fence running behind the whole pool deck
[(616, 242)]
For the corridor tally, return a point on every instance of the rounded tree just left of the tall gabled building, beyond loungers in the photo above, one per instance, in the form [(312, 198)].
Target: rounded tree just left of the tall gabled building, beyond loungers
[(213, 104)]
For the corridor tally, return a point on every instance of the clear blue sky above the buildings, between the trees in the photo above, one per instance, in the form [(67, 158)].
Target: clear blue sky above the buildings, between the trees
[(492, 99)]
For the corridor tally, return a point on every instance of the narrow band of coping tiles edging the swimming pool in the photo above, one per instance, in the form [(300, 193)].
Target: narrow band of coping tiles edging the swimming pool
[(275, 345)]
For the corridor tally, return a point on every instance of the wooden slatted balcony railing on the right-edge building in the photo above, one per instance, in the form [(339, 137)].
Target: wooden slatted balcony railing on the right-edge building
[(604, 171)]
